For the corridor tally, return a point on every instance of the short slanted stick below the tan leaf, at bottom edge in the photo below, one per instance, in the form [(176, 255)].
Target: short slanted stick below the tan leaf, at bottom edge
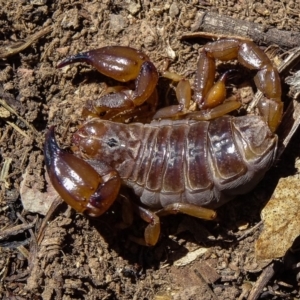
[(263, 279)]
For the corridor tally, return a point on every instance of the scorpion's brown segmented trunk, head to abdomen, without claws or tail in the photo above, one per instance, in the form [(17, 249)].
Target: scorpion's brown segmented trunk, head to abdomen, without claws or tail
[(205, 163)]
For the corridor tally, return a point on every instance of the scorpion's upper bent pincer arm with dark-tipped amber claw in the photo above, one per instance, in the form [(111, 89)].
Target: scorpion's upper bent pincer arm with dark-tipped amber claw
[(123, 64)]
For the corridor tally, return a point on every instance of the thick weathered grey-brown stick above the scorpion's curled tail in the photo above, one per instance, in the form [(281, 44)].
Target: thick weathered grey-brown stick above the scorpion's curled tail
[(210, 22)]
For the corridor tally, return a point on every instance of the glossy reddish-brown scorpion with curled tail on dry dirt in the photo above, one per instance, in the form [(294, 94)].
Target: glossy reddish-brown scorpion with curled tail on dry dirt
[(183, 161)]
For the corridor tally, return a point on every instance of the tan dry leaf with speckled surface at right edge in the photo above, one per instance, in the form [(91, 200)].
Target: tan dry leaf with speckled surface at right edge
[(281, 220)]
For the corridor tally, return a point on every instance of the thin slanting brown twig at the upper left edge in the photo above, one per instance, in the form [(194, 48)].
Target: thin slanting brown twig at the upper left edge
[(20, 46)]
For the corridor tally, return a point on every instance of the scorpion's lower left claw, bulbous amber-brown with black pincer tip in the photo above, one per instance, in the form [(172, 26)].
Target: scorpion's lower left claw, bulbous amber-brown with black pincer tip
[(79, 182)]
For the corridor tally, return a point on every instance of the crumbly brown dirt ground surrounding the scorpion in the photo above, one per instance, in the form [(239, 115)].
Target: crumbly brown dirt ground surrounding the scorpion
[(75, 257)]
